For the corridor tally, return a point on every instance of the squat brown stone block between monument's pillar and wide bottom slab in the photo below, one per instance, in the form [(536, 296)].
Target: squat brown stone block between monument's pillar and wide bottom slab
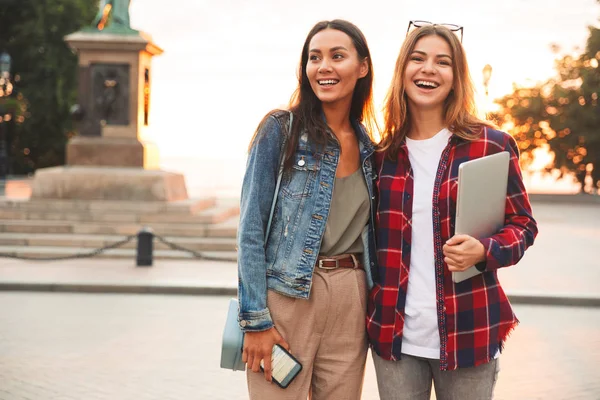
[(111, 152)]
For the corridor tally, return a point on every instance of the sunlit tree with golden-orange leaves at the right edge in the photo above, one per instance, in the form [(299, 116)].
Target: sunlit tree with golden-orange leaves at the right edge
[(562, 113)]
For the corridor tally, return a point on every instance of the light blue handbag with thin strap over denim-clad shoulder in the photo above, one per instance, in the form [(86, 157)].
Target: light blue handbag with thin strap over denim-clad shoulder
[(233, 337)]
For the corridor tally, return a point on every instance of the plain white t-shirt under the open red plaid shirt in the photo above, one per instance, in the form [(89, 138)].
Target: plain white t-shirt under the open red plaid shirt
[(421, 336)]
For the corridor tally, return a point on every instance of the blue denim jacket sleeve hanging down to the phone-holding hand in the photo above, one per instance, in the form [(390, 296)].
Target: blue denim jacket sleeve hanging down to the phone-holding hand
[(258, 188)]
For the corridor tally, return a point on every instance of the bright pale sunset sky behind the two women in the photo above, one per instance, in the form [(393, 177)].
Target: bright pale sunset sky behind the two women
[(228, 62)]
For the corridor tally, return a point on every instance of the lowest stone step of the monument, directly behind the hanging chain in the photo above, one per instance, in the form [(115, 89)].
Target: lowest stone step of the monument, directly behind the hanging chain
[(48, 252)]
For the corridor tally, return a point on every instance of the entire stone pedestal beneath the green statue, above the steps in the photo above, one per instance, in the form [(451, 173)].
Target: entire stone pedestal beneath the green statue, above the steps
[(110, 158)]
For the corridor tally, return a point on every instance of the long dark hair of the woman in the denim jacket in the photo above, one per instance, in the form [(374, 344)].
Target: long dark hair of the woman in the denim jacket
[(306, 106)]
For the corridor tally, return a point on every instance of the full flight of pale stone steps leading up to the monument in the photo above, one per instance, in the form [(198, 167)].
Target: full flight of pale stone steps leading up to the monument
[(54, 228)]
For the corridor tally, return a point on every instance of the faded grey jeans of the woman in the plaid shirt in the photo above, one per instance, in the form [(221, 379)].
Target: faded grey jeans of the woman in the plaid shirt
[(410, 379)]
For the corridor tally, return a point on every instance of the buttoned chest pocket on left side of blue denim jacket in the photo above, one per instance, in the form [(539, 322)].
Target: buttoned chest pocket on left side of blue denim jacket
[(299, 180)]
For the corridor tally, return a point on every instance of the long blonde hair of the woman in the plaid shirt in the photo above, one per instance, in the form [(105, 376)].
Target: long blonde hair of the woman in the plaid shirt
[(460, 111)]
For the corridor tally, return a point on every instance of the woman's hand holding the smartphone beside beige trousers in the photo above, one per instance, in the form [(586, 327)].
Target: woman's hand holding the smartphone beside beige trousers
[(259, 346)]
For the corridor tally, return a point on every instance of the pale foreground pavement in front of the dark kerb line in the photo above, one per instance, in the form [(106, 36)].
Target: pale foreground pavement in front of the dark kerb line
[(133, 347)]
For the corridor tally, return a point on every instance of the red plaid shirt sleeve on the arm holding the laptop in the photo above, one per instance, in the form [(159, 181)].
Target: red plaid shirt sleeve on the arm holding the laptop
[(508, 246)]
